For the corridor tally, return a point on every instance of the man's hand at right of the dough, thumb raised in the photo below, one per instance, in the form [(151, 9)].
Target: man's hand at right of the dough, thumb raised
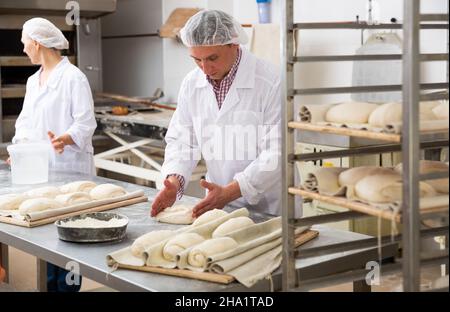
[(217, 197)]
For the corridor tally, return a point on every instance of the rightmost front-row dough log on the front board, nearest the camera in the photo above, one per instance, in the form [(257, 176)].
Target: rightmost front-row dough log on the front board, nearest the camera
[(199, 254)]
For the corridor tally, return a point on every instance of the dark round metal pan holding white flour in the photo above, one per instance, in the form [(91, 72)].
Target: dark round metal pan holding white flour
[(92, 235)]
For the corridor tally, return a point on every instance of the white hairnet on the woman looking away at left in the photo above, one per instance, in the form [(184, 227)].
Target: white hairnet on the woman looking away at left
[(45, 33)]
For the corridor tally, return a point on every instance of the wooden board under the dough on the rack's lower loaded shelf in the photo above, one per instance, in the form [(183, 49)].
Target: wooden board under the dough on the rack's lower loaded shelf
[(358, 206)]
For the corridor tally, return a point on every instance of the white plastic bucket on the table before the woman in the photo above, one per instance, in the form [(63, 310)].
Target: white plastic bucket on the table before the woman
[(29, 162)]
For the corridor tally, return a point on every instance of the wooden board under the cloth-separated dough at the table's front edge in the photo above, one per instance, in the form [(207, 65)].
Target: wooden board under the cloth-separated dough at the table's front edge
[(207, 276)]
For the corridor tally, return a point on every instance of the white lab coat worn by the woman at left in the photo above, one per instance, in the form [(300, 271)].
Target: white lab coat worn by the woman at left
[(63, 105)]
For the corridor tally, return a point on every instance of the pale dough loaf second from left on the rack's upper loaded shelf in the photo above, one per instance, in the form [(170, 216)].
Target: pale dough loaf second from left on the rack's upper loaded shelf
[(350, 112)]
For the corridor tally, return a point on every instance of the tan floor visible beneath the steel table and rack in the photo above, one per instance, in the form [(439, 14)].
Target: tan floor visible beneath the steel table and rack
[(23, 277)]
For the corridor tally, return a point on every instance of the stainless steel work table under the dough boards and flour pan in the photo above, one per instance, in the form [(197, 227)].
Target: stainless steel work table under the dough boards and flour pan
[(43, 243)]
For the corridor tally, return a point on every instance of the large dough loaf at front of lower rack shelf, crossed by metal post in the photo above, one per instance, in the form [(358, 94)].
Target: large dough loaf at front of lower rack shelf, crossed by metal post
[(386, 188)]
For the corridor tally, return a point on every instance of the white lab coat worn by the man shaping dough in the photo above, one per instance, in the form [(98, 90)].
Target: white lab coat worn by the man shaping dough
[(199, 129)]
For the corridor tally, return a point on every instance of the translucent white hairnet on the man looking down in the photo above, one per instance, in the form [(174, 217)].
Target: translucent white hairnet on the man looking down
[(212, 28)]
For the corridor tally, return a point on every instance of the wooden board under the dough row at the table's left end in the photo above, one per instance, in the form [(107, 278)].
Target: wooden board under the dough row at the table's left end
[(31, 224)]
